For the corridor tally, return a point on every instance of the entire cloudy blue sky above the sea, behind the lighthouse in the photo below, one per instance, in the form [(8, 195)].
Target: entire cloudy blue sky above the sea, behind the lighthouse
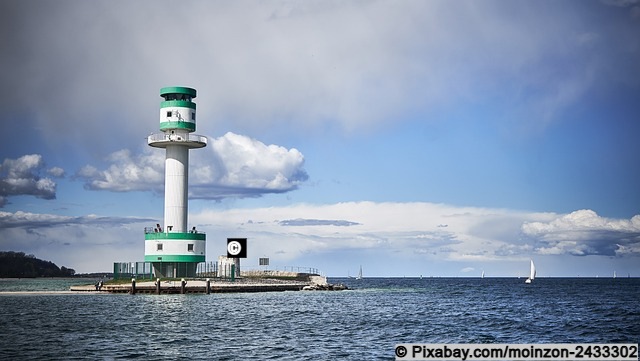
[(432, 138)]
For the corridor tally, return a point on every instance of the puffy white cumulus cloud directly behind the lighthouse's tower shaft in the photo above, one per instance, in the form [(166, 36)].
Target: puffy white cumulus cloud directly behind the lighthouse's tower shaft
[(231, 166)]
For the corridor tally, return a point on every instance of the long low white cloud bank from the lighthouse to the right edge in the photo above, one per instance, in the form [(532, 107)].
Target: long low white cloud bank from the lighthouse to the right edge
[(413, 231)]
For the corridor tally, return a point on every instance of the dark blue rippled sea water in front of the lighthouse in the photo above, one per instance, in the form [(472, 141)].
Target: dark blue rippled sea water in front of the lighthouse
[(363, 323)]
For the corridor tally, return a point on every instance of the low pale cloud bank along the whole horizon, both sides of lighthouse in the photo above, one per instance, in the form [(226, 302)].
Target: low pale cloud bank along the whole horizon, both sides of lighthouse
[(388, 236)]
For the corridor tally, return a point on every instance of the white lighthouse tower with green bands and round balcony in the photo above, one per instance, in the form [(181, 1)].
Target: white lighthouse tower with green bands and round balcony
[(174, 249)]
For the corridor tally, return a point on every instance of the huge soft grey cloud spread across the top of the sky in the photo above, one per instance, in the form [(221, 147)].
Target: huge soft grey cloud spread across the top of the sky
[(305, 65)]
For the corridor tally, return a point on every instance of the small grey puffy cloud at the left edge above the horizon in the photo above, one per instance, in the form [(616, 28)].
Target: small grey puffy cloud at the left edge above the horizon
[(21, 176)]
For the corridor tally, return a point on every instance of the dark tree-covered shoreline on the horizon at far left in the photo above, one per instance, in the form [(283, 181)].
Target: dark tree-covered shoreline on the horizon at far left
[(19, 264)]
